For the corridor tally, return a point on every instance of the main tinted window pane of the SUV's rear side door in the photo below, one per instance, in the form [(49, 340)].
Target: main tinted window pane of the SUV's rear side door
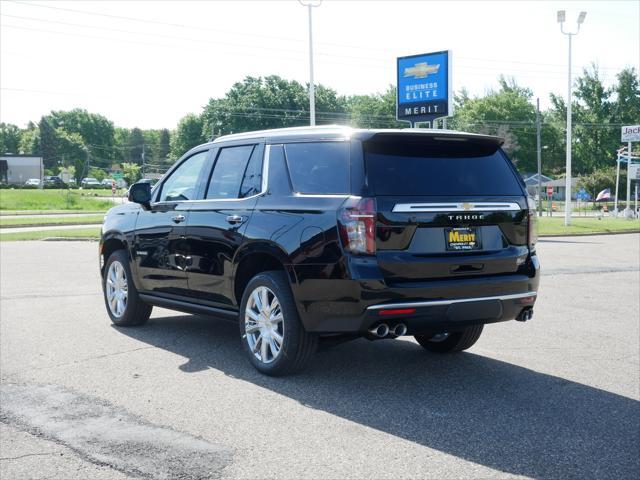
[(229, 171)]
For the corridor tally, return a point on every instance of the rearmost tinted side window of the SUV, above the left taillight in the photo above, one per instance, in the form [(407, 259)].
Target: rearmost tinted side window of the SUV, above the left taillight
[(320, 168)]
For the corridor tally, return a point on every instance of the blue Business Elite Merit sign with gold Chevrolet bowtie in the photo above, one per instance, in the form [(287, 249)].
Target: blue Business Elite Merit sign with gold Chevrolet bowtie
[(424, 87)]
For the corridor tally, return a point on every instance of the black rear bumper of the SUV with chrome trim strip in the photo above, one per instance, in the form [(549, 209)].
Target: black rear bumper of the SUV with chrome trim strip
[(334, 305)]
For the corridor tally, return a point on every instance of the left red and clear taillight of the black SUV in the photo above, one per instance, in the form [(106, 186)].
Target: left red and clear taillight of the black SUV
[(357, 225)]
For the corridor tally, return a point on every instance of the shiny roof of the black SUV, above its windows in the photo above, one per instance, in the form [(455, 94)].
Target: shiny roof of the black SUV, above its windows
[(339, 131)]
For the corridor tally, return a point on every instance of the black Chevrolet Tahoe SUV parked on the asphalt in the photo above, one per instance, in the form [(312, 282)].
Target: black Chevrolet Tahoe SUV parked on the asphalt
[(329, 232)]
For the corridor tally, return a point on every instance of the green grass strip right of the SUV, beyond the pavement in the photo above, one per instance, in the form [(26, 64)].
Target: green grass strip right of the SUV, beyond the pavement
[(555, 225)]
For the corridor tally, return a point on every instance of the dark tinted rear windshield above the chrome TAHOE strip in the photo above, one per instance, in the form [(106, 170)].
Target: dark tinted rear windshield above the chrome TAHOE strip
[(413, 170)]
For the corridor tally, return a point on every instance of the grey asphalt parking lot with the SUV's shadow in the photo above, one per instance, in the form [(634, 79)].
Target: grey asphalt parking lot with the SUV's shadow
[(556, 397)]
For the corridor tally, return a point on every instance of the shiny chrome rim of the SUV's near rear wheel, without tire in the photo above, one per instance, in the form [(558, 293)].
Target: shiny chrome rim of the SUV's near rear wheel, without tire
[(264, 325)]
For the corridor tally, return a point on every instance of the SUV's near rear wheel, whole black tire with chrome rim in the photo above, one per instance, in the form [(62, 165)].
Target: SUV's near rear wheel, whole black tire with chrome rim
[(260, 336)]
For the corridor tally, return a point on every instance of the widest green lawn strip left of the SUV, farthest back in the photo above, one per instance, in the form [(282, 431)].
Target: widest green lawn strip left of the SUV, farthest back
[(50, 200)]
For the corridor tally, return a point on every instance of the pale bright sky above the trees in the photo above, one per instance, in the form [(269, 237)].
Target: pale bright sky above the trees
[(148, 63)]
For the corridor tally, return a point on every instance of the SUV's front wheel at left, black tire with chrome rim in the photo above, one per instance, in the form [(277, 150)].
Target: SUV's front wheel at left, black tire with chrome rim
[(132, 311)]
